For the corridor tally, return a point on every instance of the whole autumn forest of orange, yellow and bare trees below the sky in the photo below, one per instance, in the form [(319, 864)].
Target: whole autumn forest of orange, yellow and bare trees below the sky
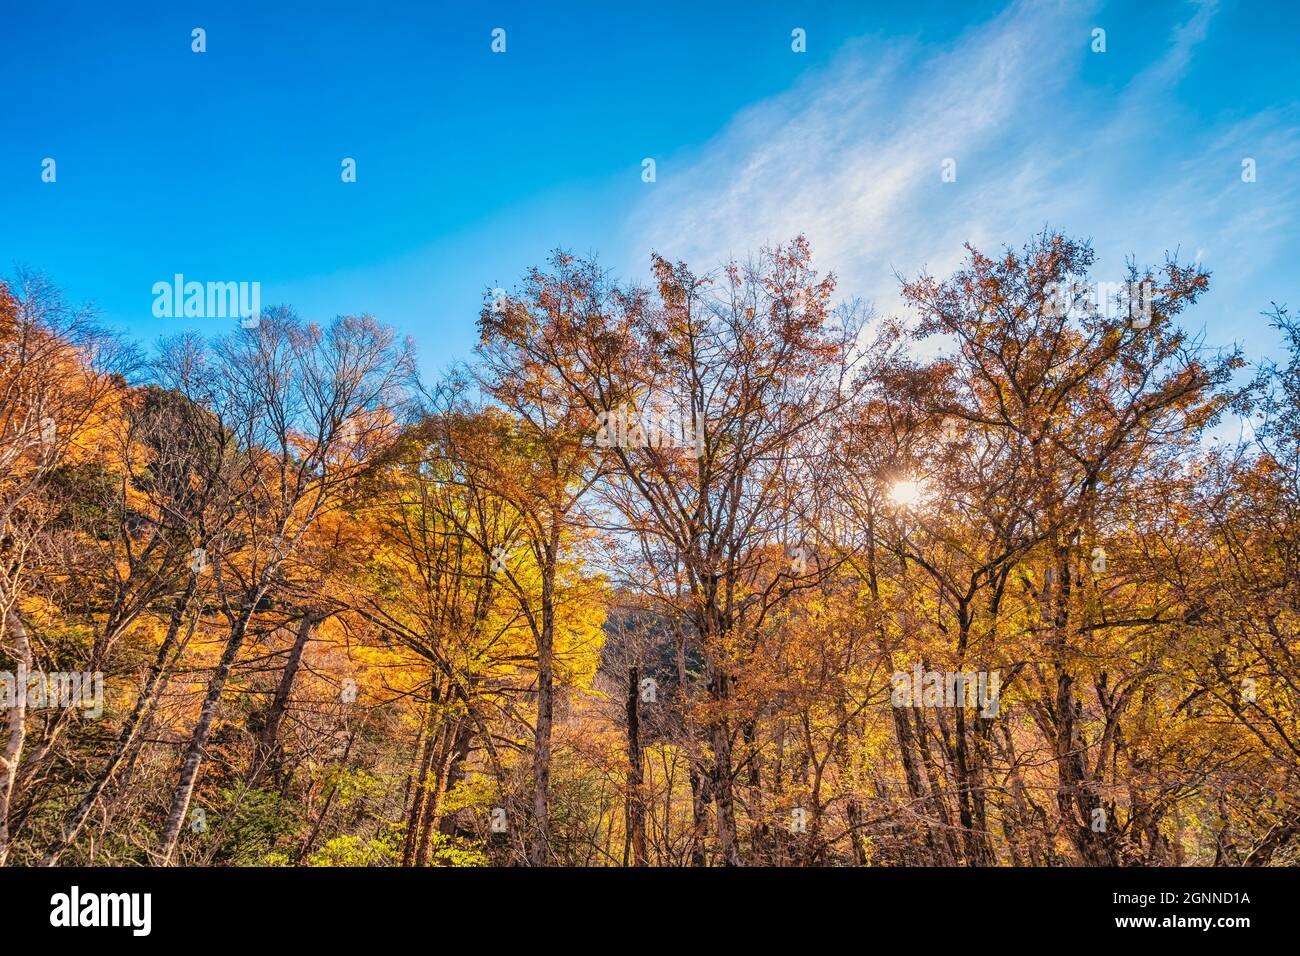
[(721, 570)]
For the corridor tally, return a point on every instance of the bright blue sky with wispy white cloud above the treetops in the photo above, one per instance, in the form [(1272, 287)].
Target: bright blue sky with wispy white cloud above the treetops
[(473, 166)]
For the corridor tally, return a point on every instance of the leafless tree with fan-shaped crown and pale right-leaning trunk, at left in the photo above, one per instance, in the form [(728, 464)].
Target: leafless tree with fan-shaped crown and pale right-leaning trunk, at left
[(305, 406)]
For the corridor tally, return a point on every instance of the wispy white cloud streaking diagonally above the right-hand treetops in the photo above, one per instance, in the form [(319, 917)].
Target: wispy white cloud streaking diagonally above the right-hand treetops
[(852, 158)]
